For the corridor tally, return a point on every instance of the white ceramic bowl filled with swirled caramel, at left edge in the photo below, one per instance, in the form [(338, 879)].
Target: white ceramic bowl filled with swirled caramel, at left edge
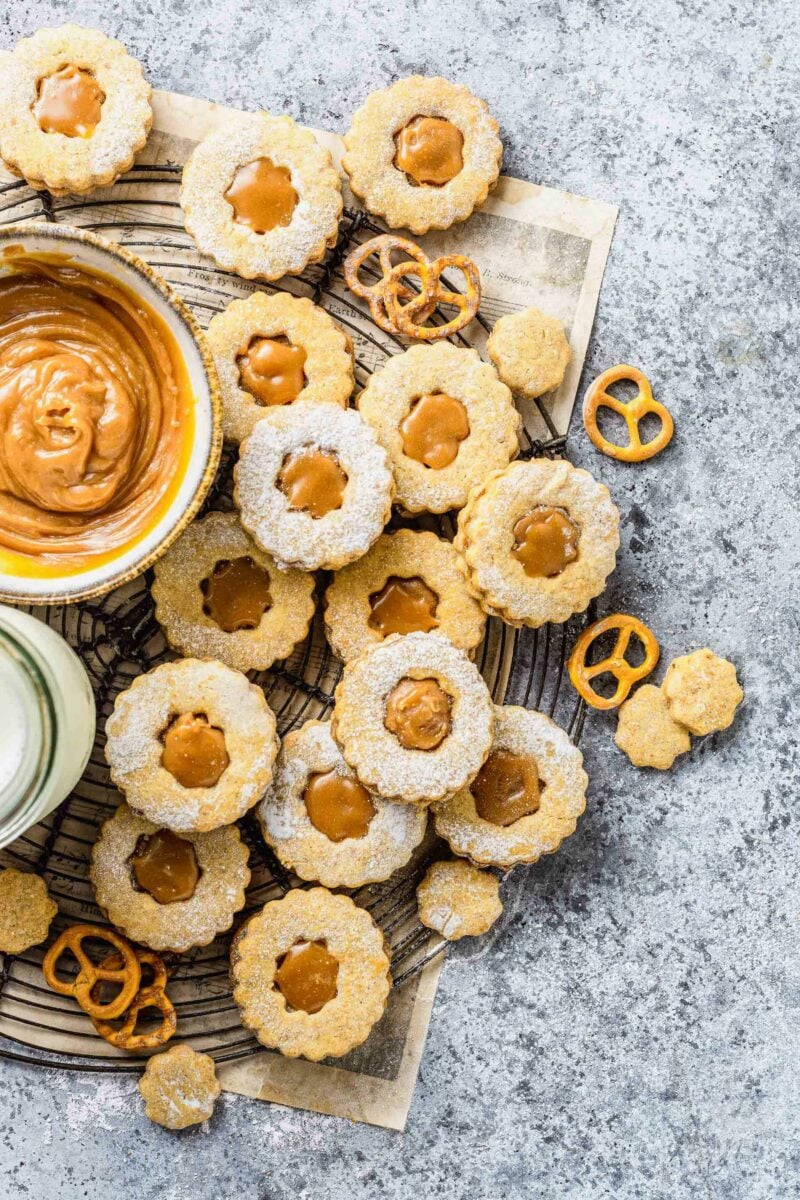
[(110, 416)]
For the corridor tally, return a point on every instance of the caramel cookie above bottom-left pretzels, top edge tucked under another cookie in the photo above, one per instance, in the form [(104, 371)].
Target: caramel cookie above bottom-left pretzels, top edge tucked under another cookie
[(165, 891)]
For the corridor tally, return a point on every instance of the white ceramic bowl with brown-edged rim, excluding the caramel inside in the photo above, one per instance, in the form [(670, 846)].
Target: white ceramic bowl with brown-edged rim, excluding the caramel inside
[(94, 254)]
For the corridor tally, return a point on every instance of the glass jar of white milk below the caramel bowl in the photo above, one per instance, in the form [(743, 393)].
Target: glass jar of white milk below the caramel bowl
[(47, 722)]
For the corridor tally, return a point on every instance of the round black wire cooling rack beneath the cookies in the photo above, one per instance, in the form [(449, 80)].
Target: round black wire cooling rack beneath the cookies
[(118, 638)]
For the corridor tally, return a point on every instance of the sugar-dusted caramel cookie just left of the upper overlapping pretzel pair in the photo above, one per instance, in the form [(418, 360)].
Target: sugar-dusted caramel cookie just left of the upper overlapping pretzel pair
[(262, 197)]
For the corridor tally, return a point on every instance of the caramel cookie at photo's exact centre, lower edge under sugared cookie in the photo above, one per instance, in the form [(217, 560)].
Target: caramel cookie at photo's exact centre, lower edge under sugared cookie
[(410, 583)]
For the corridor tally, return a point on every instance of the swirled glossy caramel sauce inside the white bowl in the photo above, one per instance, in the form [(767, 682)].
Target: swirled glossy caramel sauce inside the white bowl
[(97, 418)]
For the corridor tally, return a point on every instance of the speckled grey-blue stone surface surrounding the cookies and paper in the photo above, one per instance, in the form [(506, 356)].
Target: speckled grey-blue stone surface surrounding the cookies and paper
[(633, 1033)]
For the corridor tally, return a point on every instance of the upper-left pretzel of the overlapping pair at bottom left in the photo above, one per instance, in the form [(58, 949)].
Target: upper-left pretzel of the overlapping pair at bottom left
[(129, 974)]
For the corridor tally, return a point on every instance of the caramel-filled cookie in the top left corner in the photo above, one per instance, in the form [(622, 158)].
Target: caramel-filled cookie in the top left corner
[(75, 109)]
